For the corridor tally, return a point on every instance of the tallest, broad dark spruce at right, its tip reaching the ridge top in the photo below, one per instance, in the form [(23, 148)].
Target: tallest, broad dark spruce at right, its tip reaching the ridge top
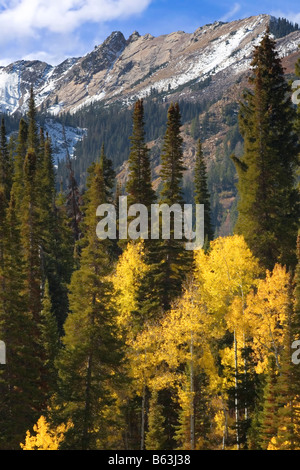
[(268, 208)]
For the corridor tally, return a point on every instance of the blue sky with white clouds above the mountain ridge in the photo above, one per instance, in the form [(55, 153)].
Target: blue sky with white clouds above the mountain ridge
[(52, 30)]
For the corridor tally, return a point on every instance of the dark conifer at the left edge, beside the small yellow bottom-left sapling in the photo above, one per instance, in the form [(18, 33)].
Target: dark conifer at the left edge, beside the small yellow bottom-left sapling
[(20, 379)]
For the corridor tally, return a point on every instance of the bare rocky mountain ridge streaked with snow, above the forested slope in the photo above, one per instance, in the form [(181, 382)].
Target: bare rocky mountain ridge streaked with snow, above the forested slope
[(122, 70)]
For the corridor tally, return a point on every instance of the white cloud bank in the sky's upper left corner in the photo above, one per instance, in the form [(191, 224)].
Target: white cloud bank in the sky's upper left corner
[(25, 18)]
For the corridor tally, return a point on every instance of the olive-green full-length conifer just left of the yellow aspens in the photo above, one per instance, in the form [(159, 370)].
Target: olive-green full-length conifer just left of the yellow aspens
[(90, 352)]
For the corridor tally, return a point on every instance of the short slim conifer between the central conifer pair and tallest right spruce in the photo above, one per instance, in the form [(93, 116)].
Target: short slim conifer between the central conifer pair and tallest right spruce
[(202, 195)]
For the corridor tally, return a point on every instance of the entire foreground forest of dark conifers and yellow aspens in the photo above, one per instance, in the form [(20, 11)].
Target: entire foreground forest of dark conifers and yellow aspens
[(139, 343)]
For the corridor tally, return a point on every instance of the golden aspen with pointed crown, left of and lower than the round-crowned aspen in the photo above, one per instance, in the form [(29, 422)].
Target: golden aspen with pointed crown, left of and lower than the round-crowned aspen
[(186, 333)]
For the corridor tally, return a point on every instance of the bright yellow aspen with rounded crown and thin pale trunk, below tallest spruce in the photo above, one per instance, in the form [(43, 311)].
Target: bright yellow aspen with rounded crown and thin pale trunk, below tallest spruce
[(225, 275)]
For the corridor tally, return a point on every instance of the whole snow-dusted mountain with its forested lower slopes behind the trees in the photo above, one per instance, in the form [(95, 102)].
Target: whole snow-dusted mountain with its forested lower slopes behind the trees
[(87, 101)]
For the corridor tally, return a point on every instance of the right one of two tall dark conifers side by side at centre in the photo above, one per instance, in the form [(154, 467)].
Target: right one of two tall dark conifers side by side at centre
[(169, 259)]
